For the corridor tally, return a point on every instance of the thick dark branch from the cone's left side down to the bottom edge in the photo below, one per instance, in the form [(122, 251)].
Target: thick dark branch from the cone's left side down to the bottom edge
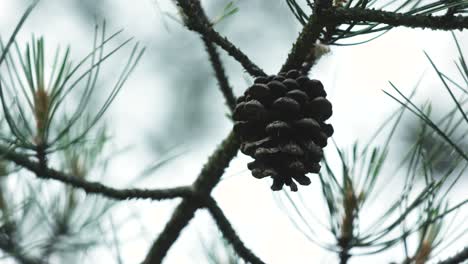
[(202, 187)]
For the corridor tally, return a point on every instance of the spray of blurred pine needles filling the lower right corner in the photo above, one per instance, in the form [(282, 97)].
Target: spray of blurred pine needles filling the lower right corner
[(363, 181)]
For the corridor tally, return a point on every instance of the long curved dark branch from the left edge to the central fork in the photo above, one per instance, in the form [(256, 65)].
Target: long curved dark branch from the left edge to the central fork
[(89, 186)]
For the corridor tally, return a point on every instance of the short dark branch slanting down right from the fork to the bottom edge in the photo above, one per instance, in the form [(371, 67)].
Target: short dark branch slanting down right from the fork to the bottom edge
[(230, 234)]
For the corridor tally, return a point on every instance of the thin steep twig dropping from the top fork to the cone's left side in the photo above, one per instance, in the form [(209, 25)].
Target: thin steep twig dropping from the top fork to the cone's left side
[(220, 74)]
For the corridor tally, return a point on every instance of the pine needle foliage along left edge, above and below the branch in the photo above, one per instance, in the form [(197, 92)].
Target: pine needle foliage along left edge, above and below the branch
[(45, 113)]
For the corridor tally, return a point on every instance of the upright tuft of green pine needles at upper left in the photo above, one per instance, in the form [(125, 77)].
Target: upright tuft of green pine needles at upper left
[(33, 101)]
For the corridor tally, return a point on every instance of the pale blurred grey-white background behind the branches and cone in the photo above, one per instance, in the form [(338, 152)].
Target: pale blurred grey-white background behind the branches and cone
[(170, 116)]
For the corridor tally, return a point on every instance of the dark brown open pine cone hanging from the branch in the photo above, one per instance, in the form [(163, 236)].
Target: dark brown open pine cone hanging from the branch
[(280, 121)]
